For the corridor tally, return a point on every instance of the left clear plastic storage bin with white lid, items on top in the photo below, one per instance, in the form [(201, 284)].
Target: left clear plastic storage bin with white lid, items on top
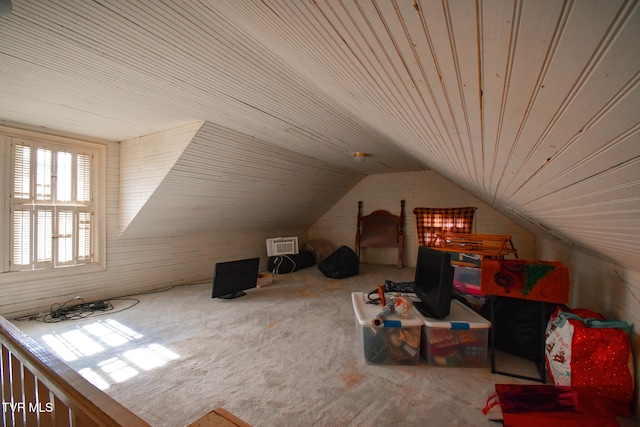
[(395, 342)]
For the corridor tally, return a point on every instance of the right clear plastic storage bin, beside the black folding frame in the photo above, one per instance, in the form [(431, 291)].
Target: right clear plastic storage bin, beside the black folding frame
[(460, 340)]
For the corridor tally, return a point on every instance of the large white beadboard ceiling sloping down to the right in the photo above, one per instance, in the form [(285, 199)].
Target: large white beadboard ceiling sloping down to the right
[(531, 105)]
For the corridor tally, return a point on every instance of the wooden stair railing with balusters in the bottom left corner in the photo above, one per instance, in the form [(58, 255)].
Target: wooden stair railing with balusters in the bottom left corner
[(38, 389)]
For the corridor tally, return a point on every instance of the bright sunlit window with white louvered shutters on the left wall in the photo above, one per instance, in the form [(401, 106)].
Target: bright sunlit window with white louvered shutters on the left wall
[(53, 218)]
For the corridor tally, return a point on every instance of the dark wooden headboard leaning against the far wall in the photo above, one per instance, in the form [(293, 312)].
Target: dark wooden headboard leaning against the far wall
[(381, 229)]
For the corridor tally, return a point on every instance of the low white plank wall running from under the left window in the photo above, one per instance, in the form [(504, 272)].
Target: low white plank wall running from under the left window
[(133, 265)]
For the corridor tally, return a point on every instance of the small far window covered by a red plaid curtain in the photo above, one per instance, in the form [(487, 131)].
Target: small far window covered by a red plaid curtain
[(433, 221)]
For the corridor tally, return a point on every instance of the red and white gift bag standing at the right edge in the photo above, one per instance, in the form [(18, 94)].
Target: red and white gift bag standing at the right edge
[(589, 353)]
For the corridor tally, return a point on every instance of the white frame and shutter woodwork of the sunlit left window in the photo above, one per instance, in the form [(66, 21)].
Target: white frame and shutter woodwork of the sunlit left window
[(95, 207)]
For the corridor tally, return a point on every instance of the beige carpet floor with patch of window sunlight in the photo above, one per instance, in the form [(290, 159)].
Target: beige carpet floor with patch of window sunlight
[(283, 355)]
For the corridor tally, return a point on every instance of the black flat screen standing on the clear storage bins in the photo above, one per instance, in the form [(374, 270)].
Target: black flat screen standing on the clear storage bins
[(434, 282)]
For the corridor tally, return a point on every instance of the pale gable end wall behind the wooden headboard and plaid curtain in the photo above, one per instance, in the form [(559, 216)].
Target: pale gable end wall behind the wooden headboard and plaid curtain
[(418, 189)]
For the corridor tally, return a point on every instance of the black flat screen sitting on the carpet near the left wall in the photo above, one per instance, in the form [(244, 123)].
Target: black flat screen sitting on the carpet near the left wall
[(231, 278)]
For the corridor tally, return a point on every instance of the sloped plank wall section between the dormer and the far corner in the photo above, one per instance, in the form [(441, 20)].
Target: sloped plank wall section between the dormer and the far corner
[(227, 180)]
